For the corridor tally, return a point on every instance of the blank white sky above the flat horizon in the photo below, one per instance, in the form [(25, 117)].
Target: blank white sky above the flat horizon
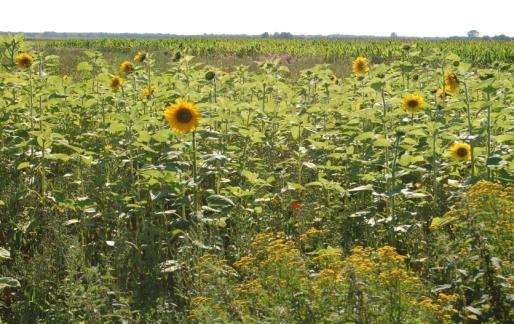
[(355, 17)]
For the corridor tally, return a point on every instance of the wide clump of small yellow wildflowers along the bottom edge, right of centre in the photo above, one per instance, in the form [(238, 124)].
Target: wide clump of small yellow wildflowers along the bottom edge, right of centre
[(275, 274)]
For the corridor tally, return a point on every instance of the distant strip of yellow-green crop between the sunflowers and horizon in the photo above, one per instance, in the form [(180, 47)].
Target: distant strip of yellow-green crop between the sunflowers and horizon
[(482, 52)]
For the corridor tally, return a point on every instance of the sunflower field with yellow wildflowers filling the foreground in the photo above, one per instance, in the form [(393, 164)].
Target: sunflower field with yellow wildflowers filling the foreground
[(197, 194)]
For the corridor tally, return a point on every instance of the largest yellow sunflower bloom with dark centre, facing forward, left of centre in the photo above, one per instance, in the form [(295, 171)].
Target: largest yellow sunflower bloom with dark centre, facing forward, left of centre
[(183, 116)]
